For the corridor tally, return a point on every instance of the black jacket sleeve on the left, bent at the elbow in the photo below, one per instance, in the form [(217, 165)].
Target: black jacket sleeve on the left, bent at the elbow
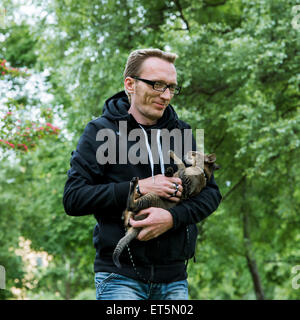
[(85, 190)]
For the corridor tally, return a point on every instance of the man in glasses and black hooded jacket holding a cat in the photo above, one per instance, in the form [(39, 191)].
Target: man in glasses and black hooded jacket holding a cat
[(154, 266)]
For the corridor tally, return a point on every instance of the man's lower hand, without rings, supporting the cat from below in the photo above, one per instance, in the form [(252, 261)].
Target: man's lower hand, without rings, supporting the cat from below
[(157, 222)]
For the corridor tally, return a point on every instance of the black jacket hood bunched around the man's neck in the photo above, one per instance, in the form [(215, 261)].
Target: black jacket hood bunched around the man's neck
[(116, 109)]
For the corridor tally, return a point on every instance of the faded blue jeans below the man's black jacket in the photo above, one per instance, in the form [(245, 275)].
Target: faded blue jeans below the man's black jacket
[(112, 286)]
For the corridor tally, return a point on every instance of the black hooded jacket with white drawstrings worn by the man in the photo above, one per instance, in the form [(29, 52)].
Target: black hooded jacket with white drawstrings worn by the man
[(102, 190)]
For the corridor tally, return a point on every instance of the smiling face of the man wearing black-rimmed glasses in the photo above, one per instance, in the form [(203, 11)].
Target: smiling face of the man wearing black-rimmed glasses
[(148, 105)]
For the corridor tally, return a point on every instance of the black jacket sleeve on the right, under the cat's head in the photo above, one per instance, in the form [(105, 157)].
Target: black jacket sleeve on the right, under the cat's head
[(200, 206)]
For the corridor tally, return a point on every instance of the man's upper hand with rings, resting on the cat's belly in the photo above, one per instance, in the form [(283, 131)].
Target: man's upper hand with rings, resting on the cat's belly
[(162, 186)]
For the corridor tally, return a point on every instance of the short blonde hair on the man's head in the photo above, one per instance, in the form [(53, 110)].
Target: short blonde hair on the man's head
[(137, 57)]
